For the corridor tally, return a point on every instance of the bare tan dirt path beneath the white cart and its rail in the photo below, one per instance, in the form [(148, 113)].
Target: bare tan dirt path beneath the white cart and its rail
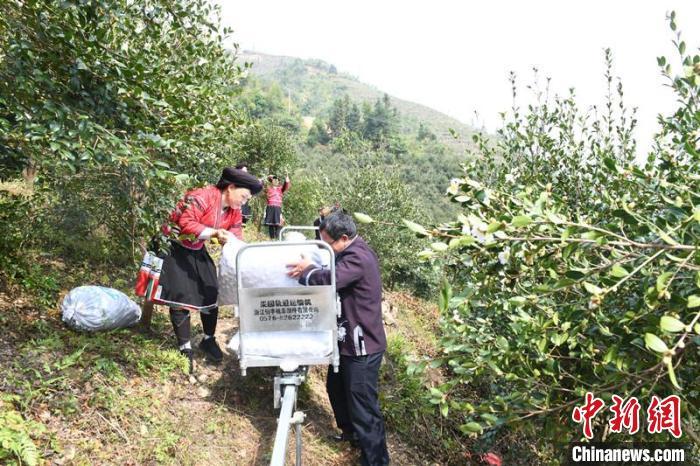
[(245, 403)]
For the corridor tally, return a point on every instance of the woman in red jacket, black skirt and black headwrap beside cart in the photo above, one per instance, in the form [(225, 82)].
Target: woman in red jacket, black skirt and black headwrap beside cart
[(188, 277)]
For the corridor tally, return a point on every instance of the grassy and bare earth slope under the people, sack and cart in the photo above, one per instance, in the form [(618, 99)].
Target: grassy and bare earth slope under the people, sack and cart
[(124, 397)]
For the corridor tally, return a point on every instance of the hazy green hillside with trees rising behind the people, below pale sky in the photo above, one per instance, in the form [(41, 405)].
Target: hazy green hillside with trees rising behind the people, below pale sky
[(341, 124)]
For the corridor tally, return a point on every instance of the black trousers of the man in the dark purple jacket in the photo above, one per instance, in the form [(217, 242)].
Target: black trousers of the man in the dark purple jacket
[(354, 396)]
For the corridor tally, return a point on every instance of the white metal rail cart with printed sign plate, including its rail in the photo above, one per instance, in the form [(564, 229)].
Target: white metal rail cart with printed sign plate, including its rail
[(290, 328)]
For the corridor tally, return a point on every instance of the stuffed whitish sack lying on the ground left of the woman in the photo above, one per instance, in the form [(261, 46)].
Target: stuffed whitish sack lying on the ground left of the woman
[(95, 308)]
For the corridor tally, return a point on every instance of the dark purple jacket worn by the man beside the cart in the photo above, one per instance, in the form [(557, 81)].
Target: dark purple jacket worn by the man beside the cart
[(359, 284)]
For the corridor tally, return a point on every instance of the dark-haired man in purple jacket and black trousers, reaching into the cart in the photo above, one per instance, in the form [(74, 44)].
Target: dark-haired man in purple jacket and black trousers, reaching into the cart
[(353, 391)]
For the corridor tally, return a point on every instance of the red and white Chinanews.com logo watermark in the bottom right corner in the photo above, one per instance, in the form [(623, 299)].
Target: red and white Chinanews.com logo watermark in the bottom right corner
[(660, 416)]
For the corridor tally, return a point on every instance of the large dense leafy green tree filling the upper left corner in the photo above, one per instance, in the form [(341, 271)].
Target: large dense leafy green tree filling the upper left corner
[(113, 107)]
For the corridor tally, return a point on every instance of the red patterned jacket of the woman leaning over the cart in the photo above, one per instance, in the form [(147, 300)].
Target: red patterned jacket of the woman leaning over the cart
[(200, 209)]
